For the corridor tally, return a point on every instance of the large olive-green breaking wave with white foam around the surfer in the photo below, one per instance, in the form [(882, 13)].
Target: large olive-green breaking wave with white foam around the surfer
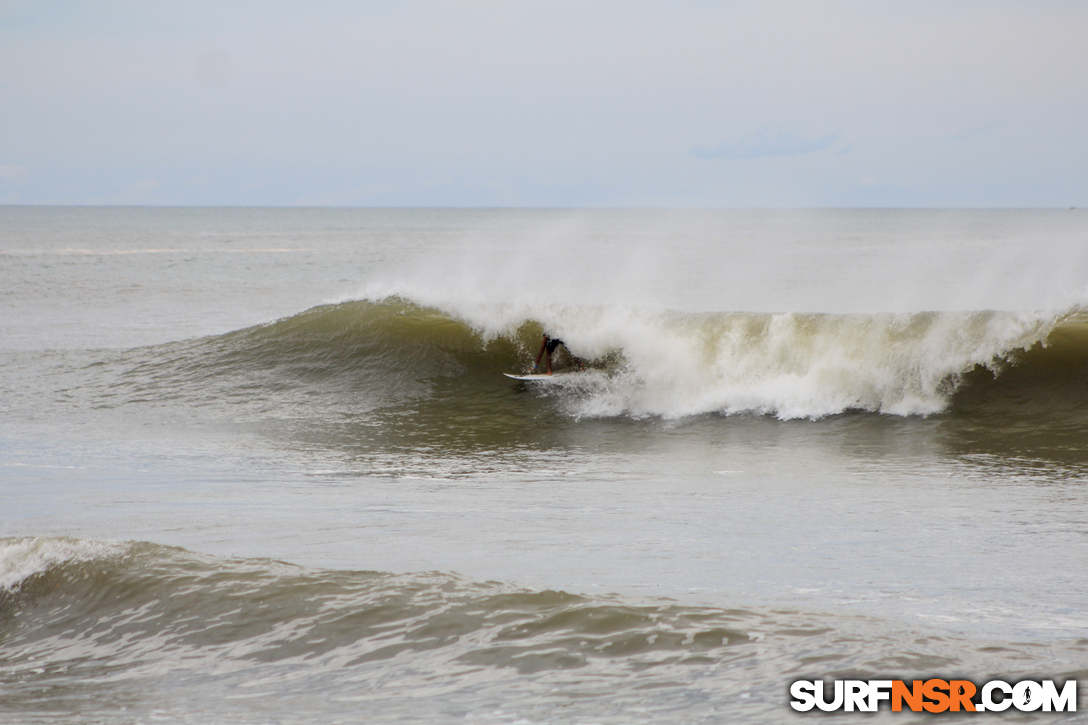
[(639, 363)]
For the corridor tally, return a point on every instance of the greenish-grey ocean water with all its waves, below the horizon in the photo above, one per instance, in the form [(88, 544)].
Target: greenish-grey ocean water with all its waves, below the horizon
[(263, 466)]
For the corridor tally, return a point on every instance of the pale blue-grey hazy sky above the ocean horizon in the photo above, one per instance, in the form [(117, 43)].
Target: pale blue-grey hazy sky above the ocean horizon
[(546, 104)]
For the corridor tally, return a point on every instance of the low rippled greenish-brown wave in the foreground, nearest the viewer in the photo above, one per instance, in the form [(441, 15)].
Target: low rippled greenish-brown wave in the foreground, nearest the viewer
[(116, 631)]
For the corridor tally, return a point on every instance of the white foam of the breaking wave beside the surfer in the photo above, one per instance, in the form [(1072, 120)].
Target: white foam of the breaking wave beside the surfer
[(789, 366)]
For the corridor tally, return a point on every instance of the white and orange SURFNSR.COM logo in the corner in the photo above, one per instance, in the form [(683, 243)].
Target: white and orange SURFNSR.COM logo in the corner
[(934, 696)]
